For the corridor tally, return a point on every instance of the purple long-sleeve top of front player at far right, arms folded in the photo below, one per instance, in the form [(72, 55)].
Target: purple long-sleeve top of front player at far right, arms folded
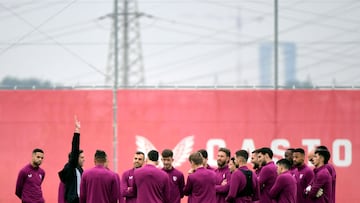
[(322, 179)]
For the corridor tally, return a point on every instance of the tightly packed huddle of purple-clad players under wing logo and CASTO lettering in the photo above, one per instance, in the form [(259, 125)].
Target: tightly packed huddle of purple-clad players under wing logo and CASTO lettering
[(290, 179)]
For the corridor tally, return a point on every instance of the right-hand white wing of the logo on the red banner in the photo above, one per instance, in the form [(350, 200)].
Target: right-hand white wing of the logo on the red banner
[(182, 150)]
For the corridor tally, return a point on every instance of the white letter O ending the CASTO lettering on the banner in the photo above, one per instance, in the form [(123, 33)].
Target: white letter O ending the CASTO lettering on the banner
[(337, 145)]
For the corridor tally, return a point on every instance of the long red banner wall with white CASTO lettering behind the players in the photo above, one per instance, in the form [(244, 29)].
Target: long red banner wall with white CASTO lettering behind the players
[(182, 120)]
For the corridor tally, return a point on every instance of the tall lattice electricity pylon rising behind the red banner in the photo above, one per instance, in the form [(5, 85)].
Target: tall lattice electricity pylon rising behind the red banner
[(125, 42)]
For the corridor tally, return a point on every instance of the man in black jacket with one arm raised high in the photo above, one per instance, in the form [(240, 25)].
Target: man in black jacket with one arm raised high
[(70, 175)]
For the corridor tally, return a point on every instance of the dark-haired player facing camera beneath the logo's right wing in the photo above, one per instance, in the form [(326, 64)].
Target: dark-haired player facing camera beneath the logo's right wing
[(176, 177)]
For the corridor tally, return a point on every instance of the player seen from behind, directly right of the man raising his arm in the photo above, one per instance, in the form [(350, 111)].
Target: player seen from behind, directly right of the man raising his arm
[(99, 184)]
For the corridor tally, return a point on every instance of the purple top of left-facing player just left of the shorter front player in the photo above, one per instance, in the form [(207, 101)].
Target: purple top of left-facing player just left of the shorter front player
[(266, 179)]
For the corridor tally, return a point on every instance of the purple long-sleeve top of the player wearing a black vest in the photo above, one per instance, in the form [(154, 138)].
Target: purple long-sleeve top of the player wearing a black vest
[(237, 185)]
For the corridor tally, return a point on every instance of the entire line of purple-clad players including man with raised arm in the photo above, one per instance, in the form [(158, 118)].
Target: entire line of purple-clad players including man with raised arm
[(289, 180)]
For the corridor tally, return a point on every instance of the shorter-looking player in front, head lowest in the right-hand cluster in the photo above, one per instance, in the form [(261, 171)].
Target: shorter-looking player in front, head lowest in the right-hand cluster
[(284, 188)]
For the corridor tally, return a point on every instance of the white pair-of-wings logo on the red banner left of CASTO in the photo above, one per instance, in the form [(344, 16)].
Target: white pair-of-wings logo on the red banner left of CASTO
[(181, 151)]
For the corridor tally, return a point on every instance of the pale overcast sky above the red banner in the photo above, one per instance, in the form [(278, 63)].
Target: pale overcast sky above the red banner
[(183, 42)]
